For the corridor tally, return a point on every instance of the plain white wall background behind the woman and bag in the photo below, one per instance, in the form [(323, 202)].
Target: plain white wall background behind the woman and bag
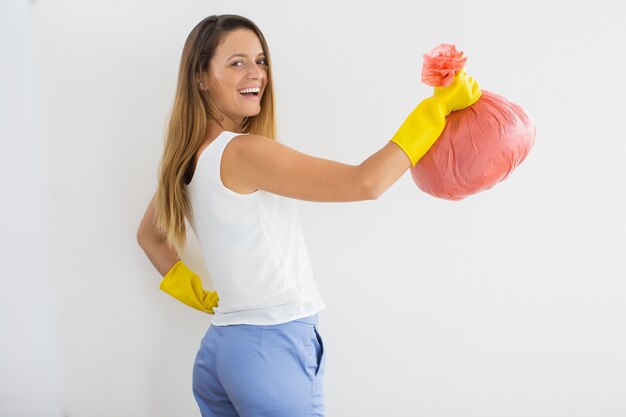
[(509, 303)]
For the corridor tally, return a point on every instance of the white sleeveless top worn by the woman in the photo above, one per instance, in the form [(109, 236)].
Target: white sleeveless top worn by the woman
[(253, 248)]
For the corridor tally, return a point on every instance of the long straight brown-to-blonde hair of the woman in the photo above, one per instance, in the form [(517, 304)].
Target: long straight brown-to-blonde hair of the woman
[(188, 121)]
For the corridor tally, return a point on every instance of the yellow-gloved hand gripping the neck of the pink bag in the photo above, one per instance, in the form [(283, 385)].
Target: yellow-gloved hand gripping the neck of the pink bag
[(422, 127)]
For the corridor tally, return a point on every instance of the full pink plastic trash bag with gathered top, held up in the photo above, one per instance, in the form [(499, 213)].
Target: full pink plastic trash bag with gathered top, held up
[(480, 146)]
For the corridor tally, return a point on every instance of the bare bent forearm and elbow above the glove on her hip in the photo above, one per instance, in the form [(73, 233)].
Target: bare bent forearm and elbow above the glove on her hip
[(153, 243)]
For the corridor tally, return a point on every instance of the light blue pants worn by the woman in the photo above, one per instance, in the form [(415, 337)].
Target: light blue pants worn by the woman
[(261, 370)]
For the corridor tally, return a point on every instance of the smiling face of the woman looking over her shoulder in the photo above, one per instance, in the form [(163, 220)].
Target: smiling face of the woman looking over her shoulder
[(238, 63)]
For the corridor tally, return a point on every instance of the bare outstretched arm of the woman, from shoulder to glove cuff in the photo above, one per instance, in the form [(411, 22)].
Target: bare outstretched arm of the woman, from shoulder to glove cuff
[(262, 163)]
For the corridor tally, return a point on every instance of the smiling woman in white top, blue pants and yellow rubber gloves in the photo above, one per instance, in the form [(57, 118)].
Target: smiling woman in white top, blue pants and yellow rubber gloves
[(224, 170)]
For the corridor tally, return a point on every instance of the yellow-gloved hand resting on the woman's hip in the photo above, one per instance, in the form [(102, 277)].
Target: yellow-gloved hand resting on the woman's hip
[(186, 286)]
